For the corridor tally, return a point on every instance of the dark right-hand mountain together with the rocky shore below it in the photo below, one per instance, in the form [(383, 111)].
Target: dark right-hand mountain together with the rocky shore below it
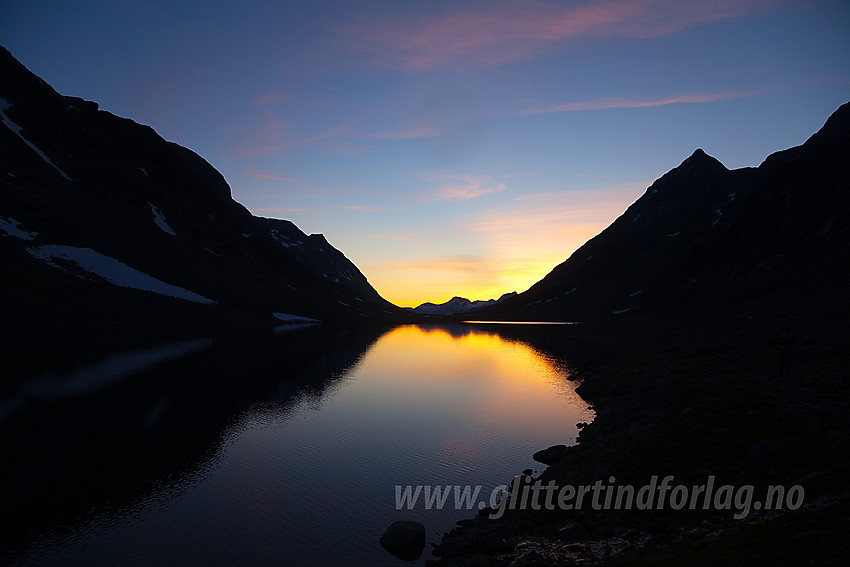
[(714, 347)]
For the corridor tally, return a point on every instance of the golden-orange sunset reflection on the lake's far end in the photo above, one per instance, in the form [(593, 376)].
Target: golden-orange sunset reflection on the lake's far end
[(492, 379)]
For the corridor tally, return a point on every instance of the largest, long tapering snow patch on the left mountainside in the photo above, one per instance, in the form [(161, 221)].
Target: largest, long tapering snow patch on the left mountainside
[(112, 270)]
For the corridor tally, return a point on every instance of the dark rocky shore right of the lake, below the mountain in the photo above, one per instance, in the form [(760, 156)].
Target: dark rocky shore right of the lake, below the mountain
[(712, 396)]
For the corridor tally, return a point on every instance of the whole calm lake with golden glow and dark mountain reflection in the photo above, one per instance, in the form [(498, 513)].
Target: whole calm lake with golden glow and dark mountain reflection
[(280, 449)]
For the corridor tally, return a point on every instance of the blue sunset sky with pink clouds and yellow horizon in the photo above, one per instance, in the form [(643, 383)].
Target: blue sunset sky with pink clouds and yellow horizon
[(449, 148)]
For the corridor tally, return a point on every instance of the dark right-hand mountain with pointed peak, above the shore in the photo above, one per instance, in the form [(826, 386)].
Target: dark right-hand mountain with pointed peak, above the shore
[(703, 237)]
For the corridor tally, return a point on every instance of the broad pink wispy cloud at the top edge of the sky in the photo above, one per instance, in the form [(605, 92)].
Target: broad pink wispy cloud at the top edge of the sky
[(513, 31)]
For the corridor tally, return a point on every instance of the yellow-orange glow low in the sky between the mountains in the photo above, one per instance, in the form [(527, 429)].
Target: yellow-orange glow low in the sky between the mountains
[(513, 247)]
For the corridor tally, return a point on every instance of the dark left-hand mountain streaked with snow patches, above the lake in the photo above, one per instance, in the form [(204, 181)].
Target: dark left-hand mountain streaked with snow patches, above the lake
[(96, 209)]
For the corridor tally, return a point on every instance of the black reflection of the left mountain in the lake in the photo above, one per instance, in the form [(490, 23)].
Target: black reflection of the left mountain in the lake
[(76, 444)]
